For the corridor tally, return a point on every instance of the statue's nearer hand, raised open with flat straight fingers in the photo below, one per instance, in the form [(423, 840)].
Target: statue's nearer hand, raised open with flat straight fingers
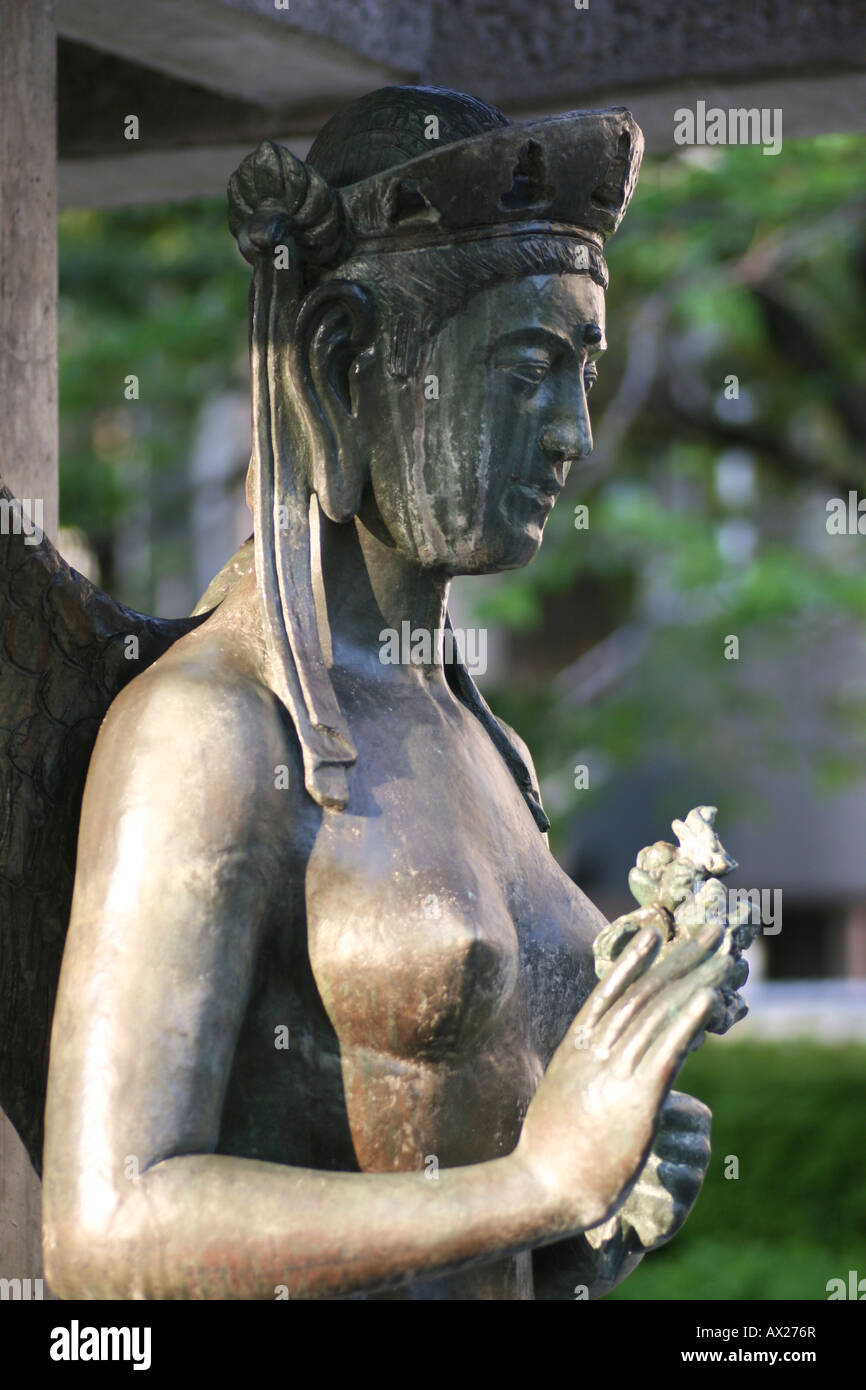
[(590, 1127)]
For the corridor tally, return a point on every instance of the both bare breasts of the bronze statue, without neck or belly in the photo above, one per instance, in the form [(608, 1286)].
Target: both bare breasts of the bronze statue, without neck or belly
[(439, 921)]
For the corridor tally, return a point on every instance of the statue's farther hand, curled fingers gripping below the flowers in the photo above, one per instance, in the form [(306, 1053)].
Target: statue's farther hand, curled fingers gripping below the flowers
[(669, 1185)]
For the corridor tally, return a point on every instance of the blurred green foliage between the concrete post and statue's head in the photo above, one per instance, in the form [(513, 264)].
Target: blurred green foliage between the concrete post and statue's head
[(159, 294)]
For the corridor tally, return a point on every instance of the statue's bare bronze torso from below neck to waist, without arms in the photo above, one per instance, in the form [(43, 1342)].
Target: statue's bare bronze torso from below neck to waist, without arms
[(425, 958)]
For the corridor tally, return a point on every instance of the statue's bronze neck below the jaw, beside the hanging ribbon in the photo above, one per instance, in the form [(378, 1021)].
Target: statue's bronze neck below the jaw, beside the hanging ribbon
[(366, 589)]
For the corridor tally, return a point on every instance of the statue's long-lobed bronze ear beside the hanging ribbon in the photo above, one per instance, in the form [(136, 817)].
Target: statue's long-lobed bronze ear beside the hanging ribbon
[(334, 327)]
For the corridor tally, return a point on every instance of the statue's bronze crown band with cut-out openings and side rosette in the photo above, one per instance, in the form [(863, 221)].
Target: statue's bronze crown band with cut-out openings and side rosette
[(566, 176)]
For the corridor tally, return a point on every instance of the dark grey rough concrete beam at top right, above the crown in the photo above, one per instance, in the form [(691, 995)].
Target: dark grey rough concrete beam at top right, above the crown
[(553, 56)]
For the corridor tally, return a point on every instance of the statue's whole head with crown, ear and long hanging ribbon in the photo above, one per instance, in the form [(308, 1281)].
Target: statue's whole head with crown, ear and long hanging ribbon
[(429, 302)]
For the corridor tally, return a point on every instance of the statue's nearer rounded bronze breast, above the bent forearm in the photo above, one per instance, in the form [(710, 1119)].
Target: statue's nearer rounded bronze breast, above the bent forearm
[(414, 963)]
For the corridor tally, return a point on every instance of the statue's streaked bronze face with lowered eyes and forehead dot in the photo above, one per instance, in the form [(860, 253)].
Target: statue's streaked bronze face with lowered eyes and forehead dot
[(471, 455)]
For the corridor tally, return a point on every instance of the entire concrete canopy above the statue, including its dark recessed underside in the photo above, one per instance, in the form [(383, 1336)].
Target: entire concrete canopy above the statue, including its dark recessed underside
[(209, 79)]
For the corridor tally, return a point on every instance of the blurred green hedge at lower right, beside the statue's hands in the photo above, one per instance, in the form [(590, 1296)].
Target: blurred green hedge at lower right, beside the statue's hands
[(793, 1114)]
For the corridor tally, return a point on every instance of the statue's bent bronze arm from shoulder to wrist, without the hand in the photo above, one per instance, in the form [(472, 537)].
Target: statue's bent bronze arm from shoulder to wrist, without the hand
[(179, 865)]
